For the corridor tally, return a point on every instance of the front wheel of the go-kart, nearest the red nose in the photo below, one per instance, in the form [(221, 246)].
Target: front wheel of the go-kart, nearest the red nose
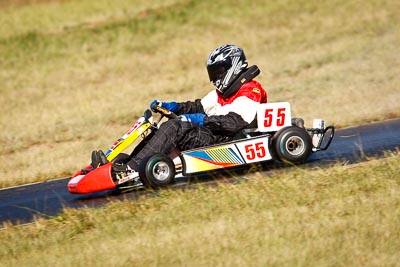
[(157, 171)]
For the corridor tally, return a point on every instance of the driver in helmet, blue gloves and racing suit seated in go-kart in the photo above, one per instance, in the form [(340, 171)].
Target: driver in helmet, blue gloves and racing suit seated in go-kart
[(216, 118)]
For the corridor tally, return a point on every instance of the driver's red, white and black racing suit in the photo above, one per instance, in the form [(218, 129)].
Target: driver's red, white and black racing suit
[(225, 117)]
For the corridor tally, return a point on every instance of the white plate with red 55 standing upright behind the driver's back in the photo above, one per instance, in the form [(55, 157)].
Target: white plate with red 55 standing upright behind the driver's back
[(273, 116)]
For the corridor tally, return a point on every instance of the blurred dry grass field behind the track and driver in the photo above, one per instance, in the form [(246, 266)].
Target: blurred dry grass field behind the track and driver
[(74, 75)]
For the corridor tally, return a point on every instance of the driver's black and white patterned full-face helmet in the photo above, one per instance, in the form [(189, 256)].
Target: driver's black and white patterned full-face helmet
[(224, 65)]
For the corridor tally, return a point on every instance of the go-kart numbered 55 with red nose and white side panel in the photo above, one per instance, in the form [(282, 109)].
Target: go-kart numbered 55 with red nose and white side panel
[(275, 137)]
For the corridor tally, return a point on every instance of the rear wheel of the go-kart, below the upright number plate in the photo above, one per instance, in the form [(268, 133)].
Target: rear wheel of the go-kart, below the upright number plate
[(291, 145)]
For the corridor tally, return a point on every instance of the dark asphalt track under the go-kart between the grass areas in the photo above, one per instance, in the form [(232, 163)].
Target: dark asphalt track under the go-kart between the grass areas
[(22, 204)]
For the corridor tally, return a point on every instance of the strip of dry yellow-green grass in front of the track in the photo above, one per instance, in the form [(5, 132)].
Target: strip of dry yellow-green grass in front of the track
[(338, 216)]
